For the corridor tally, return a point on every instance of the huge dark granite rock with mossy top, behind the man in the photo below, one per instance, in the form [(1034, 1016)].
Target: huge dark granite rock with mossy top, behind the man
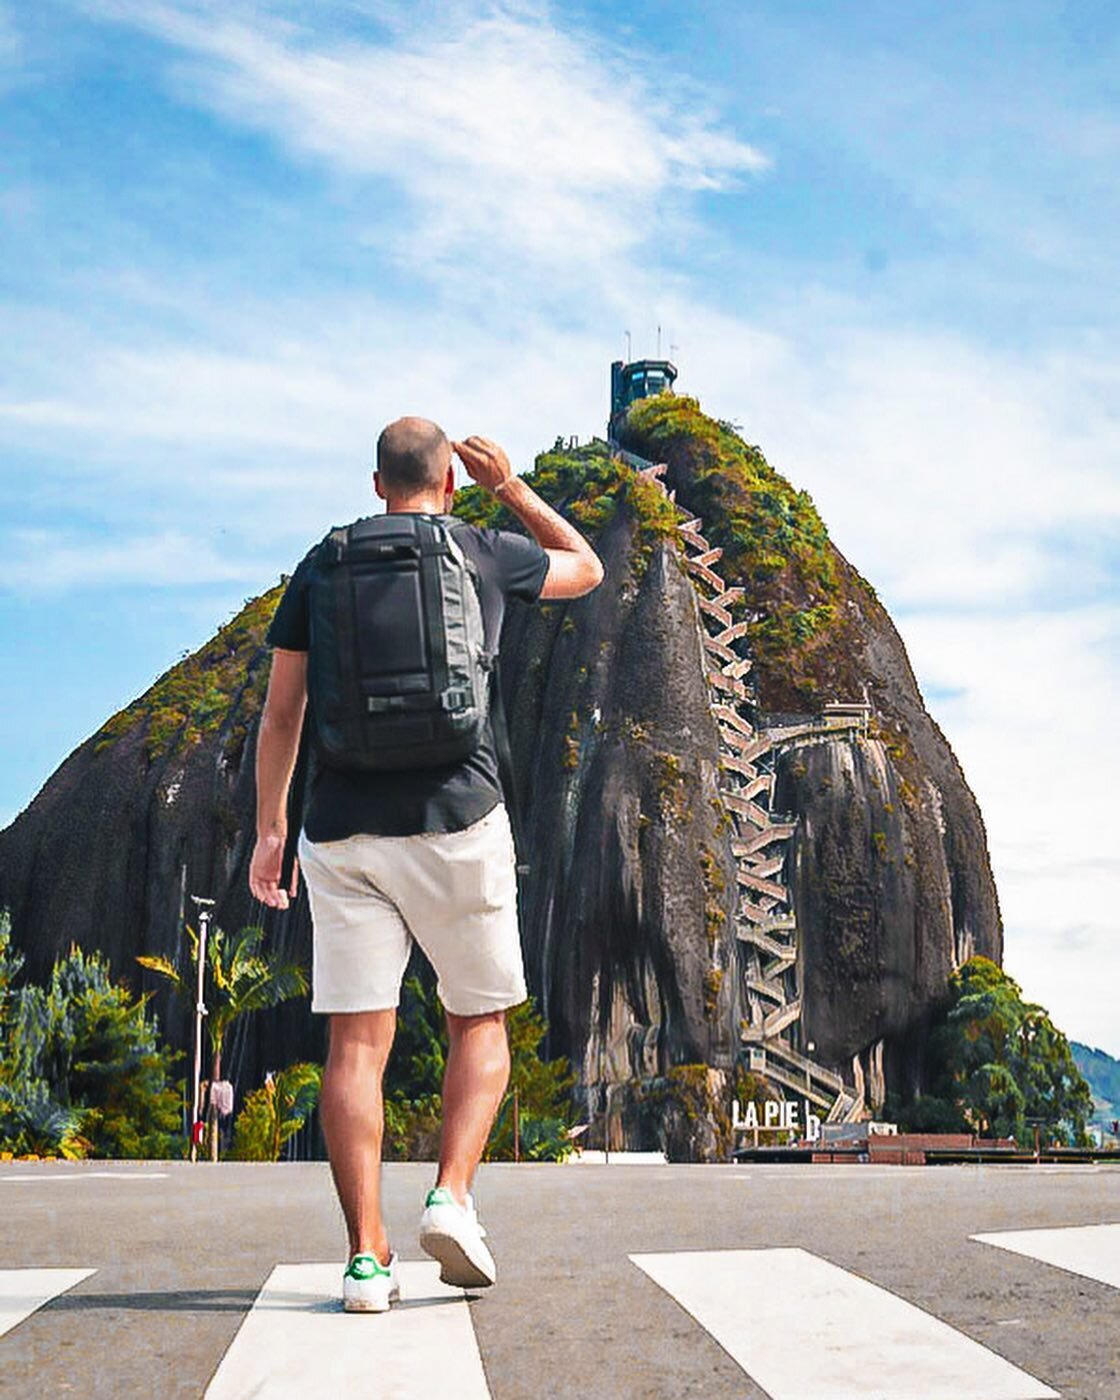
[(629, 905)]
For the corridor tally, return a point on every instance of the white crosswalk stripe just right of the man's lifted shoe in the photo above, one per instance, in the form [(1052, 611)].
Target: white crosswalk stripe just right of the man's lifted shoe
[(806, 1329)]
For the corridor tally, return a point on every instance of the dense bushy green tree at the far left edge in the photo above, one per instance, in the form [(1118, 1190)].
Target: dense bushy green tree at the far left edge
[(82, 1067)]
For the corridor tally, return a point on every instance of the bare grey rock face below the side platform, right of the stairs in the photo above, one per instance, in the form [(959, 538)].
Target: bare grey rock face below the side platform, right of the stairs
[(890, 898)]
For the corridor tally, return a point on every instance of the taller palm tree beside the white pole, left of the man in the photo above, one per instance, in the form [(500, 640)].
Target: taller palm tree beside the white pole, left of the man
[(243, 979)]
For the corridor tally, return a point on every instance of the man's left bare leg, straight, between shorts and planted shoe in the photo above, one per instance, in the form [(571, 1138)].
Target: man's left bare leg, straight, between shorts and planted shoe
[(353, 1122)]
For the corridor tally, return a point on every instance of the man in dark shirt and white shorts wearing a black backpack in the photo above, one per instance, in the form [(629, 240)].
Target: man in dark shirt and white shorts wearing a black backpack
[(418, 853)]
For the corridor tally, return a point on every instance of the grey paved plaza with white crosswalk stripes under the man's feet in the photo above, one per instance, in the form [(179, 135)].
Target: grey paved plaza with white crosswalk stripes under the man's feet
[(615, 1280)]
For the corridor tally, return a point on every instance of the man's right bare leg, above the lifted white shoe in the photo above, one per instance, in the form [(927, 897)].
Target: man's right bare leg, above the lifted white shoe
[(478, 1070)]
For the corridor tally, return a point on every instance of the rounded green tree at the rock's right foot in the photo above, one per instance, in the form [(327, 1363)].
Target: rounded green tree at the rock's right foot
[(999, 1062)]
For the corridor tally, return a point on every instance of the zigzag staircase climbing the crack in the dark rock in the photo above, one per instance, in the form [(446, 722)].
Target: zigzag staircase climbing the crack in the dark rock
[(765, 920)]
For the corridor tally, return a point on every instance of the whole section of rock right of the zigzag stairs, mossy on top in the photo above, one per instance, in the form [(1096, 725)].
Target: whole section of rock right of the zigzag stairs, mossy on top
[(888, 867)]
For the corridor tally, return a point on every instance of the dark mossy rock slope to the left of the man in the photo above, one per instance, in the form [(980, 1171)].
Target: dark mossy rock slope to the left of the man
[(156, 807)]
